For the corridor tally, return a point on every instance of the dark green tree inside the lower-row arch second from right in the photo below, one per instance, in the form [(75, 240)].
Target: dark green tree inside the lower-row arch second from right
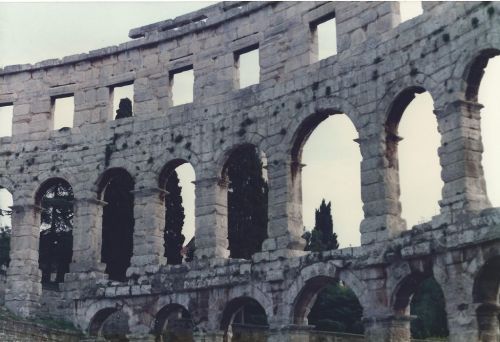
[(429, 307)]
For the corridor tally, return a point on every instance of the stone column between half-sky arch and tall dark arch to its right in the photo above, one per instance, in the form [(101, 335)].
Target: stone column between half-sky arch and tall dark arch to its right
[(211, 218)]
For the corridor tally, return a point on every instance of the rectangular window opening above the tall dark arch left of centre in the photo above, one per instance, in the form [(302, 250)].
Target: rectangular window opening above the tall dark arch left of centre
[(247, 67)]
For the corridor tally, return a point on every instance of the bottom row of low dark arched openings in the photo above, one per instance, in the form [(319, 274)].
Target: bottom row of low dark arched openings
[(246, 318)]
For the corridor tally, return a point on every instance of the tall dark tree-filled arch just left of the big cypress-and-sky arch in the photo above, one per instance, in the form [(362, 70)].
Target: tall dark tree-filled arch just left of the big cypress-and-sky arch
[(246, 201)]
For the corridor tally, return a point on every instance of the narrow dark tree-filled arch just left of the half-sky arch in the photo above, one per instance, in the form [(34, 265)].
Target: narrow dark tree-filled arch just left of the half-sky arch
[(115, 190)]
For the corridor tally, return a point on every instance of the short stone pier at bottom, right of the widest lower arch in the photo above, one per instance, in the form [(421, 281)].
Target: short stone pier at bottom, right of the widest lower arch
[(394, 328)]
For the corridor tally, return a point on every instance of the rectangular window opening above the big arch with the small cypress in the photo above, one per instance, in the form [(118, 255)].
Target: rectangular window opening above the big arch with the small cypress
[(324, 32)]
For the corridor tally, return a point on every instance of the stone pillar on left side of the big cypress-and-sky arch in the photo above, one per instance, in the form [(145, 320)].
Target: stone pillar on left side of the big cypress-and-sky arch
[(285, 226)]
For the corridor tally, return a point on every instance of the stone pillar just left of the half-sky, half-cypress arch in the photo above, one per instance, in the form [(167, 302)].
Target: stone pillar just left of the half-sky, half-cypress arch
[(149, 214)]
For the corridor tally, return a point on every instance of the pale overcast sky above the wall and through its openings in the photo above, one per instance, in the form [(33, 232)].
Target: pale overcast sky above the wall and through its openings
[(31, 32)]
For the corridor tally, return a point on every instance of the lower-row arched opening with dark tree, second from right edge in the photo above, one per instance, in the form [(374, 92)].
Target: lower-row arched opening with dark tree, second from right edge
[(421, 296)]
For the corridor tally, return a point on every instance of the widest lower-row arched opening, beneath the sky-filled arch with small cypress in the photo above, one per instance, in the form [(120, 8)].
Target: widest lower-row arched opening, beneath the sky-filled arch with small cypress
[(330, 306)]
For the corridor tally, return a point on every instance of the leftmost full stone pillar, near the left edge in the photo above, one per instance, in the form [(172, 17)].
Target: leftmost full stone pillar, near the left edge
[(24, 286)]
